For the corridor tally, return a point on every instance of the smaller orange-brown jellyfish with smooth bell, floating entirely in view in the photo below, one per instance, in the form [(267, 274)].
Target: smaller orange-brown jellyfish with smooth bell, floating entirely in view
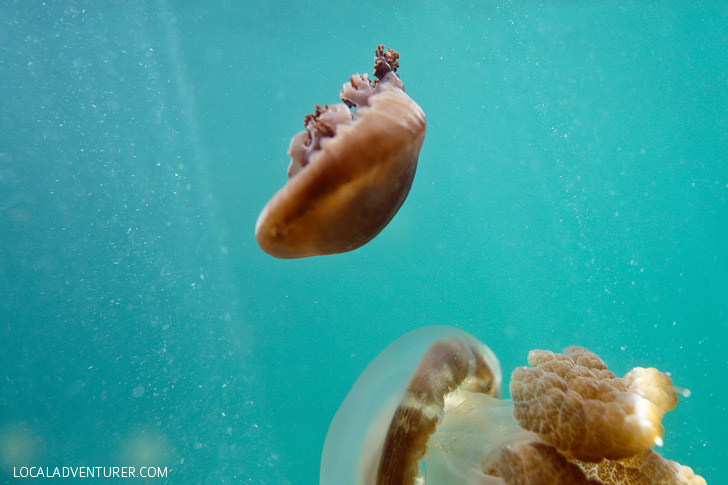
[(350, 171)]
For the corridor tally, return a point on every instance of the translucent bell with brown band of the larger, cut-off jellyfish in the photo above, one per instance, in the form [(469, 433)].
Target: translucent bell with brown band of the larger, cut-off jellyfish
[(393, 426)]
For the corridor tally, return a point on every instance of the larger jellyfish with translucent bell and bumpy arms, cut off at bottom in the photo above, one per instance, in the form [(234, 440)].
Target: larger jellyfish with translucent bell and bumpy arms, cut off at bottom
[(427, 411)]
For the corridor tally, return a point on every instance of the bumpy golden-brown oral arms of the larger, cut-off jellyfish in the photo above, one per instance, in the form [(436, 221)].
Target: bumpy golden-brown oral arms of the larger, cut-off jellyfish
[(604, 424)]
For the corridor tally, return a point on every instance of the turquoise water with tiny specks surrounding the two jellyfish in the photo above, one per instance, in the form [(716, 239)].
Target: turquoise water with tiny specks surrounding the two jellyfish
[(571, 191)]
